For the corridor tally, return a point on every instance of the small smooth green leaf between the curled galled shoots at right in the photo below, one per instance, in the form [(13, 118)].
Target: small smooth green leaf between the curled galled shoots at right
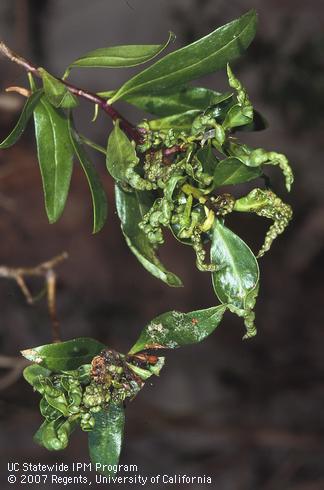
[(232, 171)]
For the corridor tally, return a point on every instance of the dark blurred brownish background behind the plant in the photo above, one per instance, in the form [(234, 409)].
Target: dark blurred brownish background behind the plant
[(249, 414)]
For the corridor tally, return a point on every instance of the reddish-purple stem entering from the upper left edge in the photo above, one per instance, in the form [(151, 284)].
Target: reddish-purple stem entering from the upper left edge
[(125, 125)]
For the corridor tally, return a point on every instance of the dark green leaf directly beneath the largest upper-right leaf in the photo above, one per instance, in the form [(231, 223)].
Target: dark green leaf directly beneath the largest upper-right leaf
[(182, 100)]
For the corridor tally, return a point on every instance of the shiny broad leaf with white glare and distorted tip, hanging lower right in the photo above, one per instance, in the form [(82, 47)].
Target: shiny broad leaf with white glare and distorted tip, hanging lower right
[(236, 281)]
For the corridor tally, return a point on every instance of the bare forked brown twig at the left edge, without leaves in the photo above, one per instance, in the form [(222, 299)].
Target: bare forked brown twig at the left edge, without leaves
[(45, 270)]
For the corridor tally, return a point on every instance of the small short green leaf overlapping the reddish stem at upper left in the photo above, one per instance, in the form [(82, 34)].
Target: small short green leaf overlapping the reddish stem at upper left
[(56, 92)]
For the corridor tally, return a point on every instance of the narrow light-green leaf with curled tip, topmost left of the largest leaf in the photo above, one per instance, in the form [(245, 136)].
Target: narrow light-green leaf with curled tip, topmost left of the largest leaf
[(121, 56)]
